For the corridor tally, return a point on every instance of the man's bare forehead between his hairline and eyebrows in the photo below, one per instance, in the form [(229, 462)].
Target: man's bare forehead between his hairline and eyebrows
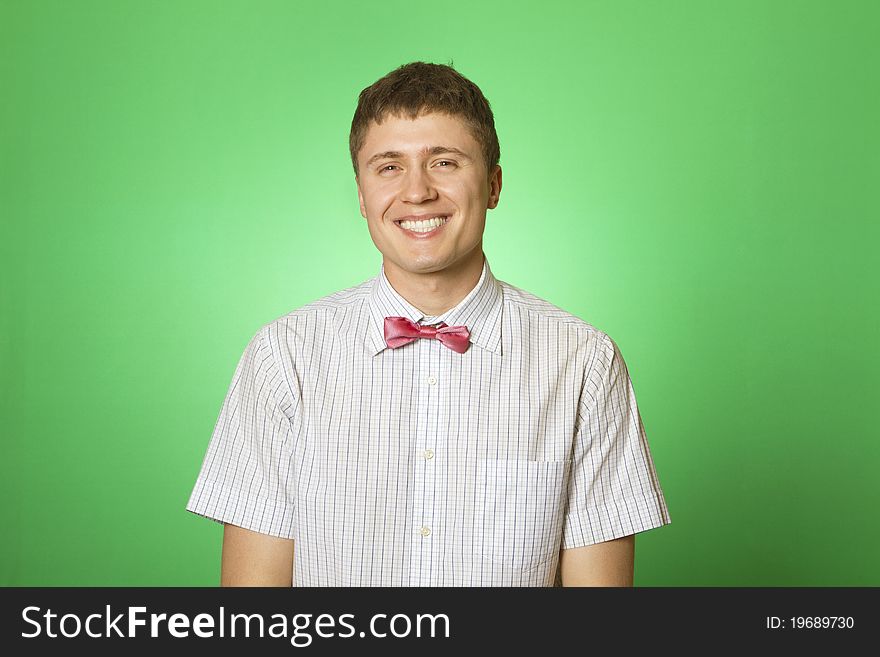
[(397, 133)]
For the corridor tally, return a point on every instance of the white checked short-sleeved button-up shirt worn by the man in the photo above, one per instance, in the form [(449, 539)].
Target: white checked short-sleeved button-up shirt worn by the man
[(421, 466)]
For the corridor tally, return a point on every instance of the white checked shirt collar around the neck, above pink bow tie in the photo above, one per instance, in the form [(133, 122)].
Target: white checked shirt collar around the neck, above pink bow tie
[(480, 311)]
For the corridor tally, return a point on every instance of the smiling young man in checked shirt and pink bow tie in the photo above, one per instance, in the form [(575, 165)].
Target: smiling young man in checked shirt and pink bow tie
[(432, 426)]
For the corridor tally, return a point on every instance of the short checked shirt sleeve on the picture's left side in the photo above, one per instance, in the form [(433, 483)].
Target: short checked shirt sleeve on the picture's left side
[(245, 476)]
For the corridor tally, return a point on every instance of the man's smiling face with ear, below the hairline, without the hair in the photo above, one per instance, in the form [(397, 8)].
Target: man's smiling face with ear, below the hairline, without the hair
[(413, 170)]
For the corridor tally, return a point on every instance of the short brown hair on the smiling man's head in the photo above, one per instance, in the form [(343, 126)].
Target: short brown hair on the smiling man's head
[(420, 88)]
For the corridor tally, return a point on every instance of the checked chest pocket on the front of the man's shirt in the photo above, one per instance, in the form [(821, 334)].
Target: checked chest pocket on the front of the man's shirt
[(519, 511)]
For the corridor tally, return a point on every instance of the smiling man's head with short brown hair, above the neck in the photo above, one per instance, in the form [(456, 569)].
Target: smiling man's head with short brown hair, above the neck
[(423, 144)]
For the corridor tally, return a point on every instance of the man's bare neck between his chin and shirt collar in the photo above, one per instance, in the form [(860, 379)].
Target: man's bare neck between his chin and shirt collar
[(433, 293)]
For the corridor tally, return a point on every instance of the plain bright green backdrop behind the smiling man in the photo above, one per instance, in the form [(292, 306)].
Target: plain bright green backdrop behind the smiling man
[(697, 179)]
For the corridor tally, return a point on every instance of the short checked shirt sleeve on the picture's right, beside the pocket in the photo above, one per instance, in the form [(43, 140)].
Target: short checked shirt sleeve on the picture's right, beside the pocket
[(613, 490)]
